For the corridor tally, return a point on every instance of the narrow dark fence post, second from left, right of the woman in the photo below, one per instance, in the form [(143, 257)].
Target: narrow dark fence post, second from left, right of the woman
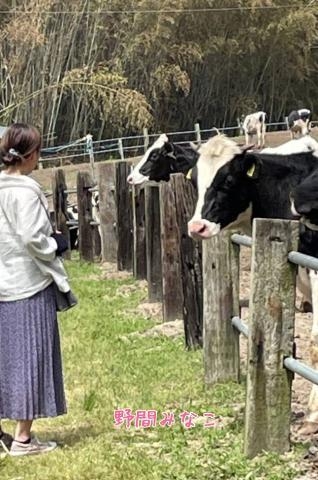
[(85, 230)]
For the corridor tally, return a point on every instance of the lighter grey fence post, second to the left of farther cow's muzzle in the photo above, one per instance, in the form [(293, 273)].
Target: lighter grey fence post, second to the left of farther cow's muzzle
[(108, 211)]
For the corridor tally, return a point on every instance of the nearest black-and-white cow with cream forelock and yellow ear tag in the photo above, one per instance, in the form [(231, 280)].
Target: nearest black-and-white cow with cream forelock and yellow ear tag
[(234, 187)]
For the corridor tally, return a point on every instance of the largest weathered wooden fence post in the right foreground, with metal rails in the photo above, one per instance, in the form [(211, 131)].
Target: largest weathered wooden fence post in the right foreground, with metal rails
[(271, 336)]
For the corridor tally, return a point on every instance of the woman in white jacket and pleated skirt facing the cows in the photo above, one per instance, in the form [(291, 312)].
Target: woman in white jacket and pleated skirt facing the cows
[(31, 379)]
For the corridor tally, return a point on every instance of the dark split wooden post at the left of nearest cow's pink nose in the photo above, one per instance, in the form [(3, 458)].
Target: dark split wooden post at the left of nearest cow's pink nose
[(191, 262)]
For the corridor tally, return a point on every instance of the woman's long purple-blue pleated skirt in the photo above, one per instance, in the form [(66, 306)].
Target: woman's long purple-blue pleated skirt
[(31, 378)]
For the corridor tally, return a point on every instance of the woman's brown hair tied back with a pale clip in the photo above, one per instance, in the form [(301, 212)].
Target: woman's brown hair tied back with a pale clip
[(18, 142)]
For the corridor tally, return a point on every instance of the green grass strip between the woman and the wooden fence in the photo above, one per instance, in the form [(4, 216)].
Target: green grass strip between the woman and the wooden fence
[(106, 369)]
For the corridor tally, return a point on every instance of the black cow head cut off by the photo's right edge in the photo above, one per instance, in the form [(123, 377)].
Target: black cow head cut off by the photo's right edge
[(304, 199)]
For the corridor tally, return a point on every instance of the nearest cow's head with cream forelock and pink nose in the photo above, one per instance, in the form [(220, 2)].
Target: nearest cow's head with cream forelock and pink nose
[(224, 174)]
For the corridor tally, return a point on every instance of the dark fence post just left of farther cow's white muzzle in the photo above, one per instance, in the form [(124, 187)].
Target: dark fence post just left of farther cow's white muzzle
[(124, 218)]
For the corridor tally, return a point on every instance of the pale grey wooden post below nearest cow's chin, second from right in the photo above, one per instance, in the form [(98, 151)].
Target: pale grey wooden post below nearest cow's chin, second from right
[(220, 339)]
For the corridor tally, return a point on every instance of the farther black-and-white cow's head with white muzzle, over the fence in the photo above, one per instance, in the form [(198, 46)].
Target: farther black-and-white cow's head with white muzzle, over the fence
[(162, 159)]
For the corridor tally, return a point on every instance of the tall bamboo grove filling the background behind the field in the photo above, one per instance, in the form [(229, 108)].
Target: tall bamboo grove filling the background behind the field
[(154, 63)]
